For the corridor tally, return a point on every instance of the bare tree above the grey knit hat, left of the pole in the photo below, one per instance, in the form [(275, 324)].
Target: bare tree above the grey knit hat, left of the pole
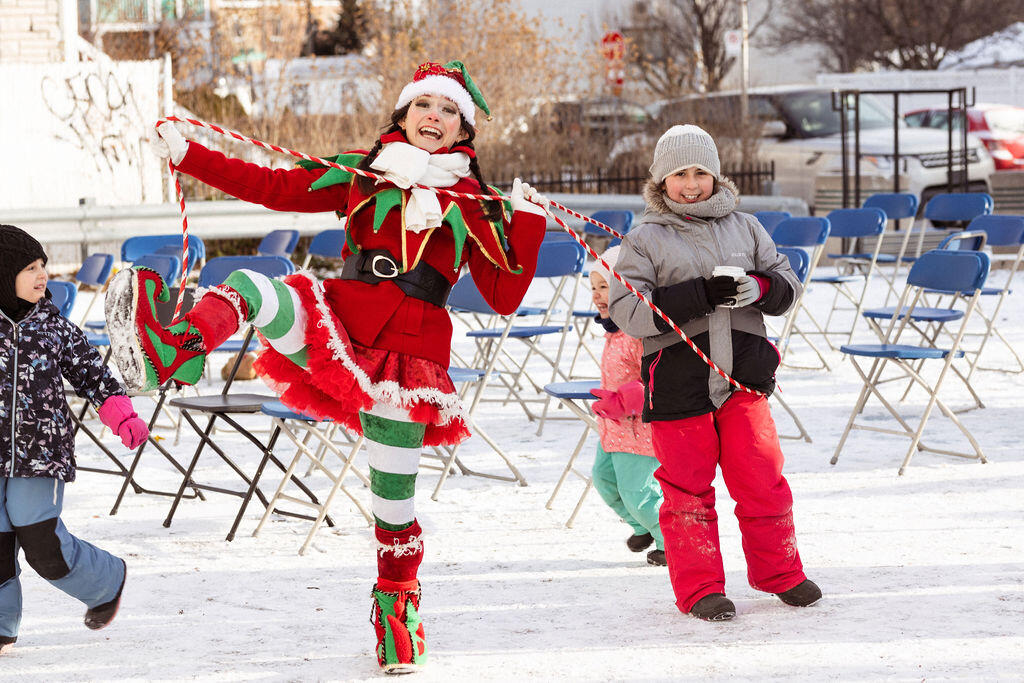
[(678, 47)]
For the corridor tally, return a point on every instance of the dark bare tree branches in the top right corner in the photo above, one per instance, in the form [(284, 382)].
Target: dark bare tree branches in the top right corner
[(894, 34)]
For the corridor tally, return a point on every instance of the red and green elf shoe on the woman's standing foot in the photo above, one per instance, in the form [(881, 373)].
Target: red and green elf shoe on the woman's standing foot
[(401, 645)]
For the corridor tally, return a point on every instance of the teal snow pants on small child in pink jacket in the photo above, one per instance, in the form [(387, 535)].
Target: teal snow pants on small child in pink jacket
[(626, 482)]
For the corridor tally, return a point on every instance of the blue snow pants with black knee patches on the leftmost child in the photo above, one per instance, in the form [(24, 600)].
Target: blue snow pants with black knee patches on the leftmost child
[(30, 520)]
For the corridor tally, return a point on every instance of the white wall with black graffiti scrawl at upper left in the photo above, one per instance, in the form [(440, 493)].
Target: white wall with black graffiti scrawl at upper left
[(79, 131)]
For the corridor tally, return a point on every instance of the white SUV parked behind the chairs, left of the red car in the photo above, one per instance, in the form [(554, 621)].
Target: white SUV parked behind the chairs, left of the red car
[(800, 132)]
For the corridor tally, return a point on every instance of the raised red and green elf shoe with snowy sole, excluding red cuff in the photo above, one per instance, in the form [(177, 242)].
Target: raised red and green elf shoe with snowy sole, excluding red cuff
[(148, 354)]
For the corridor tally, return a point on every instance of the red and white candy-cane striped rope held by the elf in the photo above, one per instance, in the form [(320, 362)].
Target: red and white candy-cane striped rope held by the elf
[(442, 191)]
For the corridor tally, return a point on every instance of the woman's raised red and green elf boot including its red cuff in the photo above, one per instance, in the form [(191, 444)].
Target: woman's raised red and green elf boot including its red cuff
[(146, 352)]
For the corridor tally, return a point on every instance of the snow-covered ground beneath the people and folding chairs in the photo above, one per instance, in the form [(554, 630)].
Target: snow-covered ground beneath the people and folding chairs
[(923, 574)]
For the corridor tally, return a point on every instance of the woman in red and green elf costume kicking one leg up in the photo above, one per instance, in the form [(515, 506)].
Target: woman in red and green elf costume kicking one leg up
[(370, 350)]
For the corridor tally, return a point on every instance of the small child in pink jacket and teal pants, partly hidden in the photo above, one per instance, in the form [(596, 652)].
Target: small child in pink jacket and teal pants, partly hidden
[(624, 468)]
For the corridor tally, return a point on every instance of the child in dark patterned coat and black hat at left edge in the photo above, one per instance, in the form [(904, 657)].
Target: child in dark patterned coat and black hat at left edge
[(39, 349)]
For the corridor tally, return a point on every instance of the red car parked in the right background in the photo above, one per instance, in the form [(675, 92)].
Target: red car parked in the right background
[(1000, 127)]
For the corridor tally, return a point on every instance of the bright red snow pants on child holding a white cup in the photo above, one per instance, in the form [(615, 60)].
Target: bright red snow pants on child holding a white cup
[(741, 437)]
